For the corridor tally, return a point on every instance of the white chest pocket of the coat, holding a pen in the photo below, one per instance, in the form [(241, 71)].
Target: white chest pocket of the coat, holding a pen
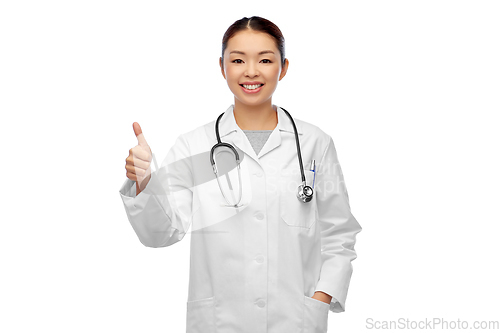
[(294, 212)]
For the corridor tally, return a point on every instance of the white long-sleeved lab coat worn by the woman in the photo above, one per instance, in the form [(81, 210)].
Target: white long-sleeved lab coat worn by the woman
[(254, 269)]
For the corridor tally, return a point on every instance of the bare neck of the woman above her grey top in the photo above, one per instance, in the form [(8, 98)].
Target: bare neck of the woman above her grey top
[(255, 117)]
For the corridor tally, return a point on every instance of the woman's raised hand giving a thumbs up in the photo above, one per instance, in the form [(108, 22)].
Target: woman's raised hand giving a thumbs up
[(138, 162)]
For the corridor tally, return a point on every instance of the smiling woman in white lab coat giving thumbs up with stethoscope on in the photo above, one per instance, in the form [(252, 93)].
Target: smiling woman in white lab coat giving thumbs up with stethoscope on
[(270, 253)]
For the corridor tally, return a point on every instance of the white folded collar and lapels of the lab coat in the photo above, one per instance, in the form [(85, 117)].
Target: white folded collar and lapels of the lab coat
[(229, 131)]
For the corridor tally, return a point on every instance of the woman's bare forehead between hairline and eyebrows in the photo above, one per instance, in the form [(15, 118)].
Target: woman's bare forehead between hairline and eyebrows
[(251, 42)]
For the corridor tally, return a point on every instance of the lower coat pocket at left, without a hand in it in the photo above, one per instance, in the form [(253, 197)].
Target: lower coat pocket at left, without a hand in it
[(201, 316)]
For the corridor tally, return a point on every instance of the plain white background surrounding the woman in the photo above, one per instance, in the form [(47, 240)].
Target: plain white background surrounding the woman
[(408, 90)]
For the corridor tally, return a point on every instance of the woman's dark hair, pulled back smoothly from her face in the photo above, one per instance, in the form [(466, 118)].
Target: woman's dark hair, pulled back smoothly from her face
[(256, 23)]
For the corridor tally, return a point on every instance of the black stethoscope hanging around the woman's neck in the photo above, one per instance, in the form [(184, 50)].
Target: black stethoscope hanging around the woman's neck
[(304, 191)]
